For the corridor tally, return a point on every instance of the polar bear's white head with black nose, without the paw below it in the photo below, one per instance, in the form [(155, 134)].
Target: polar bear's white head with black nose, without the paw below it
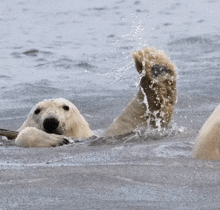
[(58, 116)]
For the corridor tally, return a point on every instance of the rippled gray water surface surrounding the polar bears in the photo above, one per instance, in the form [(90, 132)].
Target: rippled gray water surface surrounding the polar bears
[(81, 51)]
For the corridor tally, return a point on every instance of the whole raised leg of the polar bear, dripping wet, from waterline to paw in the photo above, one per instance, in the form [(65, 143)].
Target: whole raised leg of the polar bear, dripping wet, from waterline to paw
[(154, 103)]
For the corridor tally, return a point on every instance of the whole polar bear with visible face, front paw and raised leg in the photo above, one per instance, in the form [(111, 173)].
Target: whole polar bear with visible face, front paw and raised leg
[(55, 121)]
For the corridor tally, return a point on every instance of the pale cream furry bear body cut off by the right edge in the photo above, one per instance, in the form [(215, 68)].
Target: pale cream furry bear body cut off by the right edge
[(207, 144)]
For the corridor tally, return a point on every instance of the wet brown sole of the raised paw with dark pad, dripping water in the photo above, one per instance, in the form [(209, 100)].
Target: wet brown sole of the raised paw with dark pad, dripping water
[(158, 84)]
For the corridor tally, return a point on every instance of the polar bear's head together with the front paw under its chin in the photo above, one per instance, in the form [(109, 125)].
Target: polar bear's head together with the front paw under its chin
[(50, 123)]
